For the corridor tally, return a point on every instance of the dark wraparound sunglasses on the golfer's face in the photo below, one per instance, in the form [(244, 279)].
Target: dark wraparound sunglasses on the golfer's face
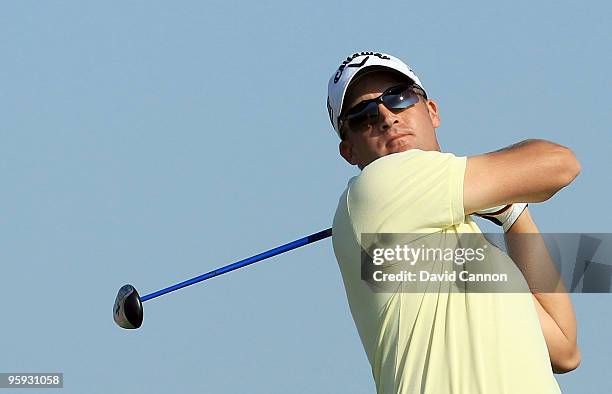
[(365, 114)]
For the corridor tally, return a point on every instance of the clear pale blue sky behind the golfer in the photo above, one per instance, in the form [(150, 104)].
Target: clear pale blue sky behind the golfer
[(148, 142)]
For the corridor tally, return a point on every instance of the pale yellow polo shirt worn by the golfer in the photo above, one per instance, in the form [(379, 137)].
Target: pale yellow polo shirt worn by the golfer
[(433, 343)]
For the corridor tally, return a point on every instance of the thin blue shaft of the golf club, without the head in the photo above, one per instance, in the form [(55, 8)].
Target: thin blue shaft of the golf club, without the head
[(242, 263)]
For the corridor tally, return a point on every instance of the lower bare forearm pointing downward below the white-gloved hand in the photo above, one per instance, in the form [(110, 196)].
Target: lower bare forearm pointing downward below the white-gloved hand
[(552, 302)]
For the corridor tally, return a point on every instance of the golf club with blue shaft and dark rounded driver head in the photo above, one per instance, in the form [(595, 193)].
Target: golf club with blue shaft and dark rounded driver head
[(127, 311)]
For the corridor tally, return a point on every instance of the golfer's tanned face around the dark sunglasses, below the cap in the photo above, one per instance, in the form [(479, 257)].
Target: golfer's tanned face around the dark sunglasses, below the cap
[(394, 131)]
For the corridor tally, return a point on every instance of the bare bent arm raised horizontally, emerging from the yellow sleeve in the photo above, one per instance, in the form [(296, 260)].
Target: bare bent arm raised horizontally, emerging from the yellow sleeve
[(530, 171)]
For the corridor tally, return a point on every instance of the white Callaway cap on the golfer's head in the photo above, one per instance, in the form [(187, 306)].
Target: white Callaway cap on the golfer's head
[(353, 65)]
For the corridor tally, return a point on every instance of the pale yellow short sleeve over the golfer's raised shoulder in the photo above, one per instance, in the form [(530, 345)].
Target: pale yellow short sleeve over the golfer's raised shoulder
[(412, 191)]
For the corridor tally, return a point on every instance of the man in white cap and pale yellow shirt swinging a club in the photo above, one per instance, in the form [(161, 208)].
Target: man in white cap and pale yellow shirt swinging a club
[(443, 342)]
